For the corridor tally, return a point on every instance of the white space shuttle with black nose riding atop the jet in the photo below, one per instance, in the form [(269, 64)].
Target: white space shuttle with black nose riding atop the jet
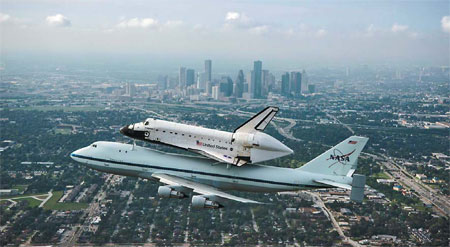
[(246, 144)]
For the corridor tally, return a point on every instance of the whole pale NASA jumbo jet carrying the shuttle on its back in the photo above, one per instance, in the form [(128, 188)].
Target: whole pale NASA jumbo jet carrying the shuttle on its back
[(183, 174)]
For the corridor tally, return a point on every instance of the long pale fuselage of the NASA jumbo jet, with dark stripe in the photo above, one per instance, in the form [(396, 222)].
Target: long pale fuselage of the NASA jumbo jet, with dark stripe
[(129, 160)]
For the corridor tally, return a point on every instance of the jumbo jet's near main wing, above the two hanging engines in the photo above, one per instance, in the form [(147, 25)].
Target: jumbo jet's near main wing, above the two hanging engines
[(199, 188)]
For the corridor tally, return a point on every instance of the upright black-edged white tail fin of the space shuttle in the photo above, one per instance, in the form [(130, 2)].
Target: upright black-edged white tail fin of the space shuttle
[(259, 121)]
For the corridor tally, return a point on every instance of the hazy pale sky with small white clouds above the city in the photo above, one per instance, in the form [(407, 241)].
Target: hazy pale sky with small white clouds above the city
[(282, 33)]
